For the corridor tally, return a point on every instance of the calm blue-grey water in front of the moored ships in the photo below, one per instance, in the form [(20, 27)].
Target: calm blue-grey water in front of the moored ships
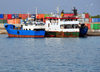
[(49, 54)]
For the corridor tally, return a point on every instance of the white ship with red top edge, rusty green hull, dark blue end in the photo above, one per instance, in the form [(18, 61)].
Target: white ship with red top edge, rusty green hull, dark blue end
[(64, 27)]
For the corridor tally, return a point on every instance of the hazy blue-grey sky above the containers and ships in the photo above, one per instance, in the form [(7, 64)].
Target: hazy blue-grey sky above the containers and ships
[(48, 6)]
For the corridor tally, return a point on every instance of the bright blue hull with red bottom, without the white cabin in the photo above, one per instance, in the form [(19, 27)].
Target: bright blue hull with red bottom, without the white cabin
[(22, 33)]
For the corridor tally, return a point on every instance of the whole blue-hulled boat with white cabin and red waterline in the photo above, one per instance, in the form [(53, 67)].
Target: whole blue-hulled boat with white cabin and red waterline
[(27, 30)]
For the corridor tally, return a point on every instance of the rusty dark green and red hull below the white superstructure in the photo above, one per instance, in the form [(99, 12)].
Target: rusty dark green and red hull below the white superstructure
[(61, 34)]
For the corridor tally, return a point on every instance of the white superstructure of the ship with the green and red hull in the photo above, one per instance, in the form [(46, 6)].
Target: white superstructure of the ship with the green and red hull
[(62, 25)]
